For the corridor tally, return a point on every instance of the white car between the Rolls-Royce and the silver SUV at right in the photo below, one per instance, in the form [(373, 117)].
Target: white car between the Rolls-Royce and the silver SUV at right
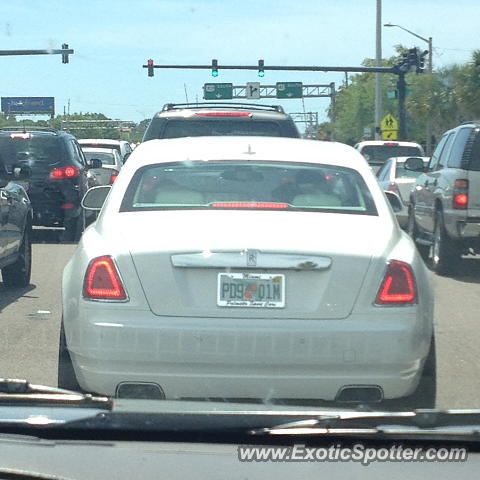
[(393, 177)]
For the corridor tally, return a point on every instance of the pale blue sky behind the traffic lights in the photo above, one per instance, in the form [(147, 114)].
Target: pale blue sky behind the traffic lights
[(113, 39)]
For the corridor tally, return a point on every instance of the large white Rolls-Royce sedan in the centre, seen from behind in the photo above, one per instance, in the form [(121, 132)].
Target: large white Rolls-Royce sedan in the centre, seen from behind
[(246, 267)]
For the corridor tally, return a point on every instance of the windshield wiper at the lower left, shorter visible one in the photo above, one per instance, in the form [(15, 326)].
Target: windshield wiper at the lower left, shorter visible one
[(16, 391)]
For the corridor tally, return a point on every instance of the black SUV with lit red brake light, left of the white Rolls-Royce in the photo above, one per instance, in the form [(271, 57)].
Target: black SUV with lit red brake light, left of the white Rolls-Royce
[(58, 175)]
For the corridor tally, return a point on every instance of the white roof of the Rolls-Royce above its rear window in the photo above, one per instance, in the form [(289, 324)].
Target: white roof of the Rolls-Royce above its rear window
[(248, 148)]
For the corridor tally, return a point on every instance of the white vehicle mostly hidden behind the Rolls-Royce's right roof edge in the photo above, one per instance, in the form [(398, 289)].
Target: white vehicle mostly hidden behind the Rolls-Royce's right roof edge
[(377, 152)]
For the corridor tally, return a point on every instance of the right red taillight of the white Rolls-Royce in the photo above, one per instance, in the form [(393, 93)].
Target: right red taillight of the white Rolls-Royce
[(398, 286)]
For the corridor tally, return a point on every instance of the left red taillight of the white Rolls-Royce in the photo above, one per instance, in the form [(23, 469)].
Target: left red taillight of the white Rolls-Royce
[(102, 281)]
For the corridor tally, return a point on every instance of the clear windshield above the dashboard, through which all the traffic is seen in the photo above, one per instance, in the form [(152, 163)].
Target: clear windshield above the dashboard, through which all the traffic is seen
[(245, 251)]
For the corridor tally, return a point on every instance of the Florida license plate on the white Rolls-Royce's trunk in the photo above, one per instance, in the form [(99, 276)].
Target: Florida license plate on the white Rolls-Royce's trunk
[(258, 290)]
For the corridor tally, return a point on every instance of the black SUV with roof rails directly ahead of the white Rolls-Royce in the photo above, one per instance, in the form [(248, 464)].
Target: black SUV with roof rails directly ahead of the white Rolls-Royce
[(210, 119)]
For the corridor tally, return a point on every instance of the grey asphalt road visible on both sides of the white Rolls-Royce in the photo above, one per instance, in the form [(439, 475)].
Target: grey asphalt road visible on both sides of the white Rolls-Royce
[(30, 320)]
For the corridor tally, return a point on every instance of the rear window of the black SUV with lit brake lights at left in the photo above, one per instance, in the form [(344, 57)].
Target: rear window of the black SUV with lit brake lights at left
[(37, 152)]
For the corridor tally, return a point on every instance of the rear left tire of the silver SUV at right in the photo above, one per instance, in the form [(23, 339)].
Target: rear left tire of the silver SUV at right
[(445, 254)]
